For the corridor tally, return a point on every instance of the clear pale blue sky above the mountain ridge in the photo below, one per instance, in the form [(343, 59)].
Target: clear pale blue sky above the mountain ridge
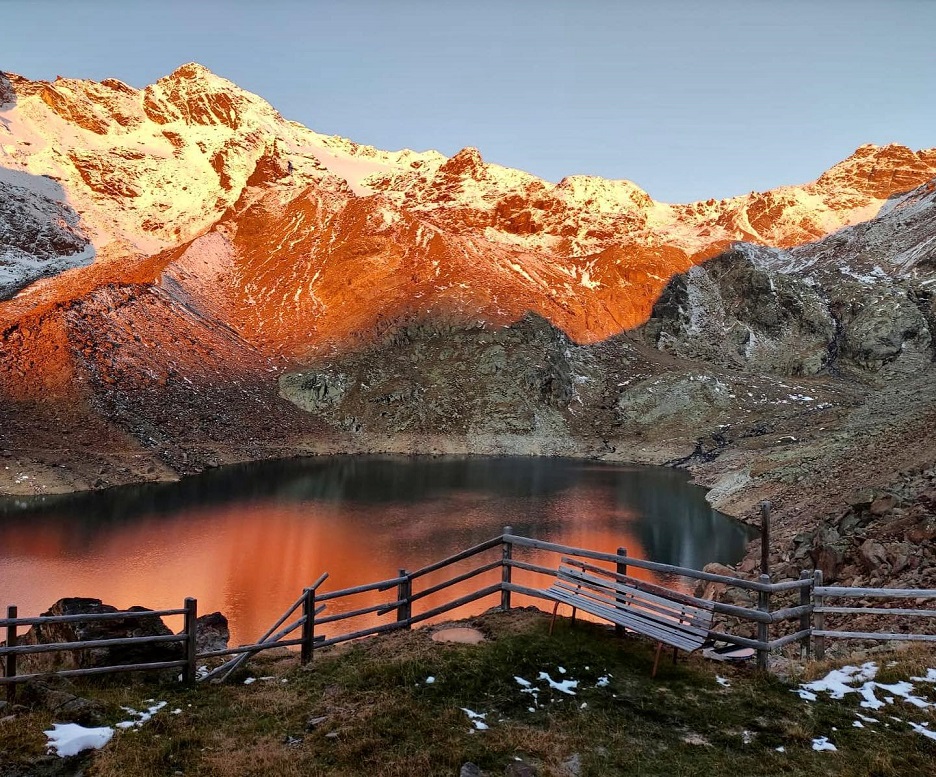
[(688, 98)]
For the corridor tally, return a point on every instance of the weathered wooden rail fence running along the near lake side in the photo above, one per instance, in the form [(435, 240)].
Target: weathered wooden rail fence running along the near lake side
[(799, 618)]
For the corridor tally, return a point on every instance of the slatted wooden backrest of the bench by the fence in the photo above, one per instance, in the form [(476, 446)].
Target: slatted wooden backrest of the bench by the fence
[(664, 609)]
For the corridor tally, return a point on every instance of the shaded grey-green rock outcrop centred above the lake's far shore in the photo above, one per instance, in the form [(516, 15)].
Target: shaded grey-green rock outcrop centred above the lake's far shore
[(457, 380)]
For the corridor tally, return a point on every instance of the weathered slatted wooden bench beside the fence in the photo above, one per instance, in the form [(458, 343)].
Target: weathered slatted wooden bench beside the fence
[(666, 616)]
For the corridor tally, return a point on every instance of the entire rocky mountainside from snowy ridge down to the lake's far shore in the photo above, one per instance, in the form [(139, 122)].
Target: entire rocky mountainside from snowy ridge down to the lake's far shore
[(188, 278)]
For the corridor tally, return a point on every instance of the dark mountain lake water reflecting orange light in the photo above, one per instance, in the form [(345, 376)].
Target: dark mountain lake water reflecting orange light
[(246, 540)]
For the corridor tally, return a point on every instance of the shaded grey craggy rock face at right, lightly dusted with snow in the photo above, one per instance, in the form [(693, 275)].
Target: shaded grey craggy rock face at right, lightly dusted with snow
[(765, 310)]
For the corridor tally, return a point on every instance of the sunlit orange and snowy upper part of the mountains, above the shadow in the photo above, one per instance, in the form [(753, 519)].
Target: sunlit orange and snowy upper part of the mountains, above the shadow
[(197, 171)]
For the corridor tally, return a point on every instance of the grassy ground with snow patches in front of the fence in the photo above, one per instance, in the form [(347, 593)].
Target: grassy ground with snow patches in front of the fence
[(368, 709)]
